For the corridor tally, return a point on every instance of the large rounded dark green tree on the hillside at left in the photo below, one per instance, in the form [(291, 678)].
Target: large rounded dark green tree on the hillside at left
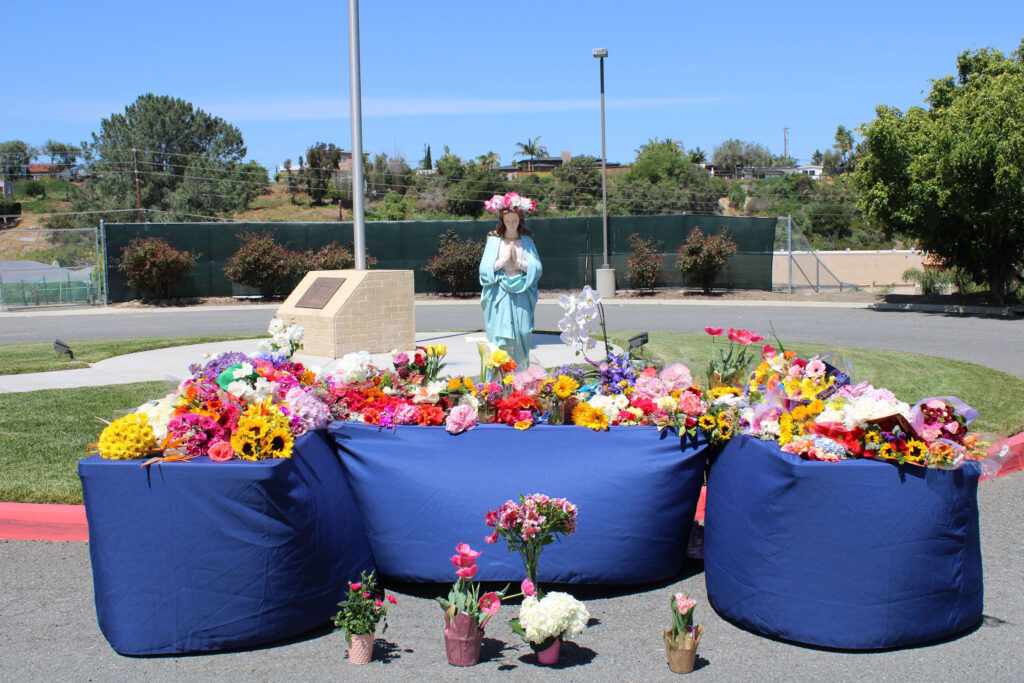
[(156, 141)]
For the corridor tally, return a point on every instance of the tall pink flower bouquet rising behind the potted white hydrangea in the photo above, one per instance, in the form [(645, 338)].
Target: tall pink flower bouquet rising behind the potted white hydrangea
[(531, 525)]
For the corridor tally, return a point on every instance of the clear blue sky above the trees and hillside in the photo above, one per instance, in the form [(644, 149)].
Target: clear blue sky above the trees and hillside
[(483, 76)]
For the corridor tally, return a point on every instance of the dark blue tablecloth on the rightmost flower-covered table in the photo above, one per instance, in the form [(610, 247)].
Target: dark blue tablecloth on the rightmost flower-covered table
[(858, 554)]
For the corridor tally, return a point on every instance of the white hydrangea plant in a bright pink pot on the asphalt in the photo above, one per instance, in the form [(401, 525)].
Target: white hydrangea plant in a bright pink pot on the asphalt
[(545, 621)]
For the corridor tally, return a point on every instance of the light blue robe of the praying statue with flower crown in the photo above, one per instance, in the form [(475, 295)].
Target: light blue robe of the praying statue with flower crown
[(508, 303)]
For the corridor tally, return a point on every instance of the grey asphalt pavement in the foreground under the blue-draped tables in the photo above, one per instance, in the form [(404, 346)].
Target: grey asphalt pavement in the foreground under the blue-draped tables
[(49, 631)]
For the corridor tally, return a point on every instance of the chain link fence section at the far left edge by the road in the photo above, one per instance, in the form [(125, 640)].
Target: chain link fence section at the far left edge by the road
[(51, 268)]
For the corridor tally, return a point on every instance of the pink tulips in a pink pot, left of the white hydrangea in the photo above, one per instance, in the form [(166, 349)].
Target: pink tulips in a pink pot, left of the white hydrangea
[(466, 612)]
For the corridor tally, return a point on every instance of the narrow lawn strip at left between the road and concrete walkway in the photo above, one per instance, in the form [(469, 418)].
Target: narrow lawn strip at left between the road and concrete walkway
[(40, 358)]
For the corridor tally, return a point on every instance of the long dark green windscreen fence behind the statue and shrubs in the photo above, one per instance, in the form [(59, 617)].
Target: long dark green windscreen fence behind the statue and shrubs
[(571, 248)]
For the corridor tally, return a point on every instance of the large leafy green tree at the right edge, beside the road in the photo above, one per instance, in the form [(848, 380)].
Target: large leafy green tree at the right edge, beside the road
[(951, 177)]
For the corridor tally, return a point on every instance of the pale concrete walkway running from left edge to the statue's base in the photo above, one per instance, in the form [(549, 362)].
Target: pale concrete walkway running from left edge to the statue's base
[(173, 364)]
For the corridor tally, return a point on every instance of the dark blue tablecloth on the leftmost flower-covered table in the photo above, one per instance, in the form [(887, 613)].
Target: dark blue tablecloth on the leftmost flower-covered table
[(205, 557)]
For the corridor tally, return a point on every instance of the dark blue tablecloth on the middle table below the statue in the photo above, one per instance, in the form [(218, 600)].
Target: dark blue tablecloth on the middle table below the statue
[(421, 491)]
